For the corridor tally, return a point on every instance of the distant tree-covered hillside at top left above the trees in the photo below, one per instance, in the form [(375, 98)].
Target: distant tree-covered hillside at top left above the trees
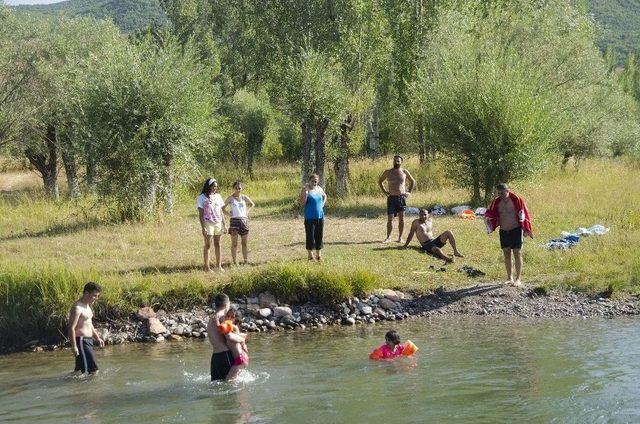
[(129, 15)]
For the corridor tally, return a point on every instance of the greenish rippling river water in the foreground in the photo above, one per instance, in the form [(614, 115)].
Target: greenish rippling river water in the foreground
[(467, 370)]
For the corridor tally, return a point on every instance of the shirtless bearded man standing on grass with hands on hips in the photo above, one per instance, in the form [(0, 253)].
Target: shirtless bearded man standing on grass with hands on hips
[(396, 194)]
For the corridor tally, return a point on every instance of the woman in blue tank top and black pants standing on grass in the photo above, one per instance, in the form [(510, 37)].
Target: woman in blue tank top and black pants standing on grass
[(313, 198)]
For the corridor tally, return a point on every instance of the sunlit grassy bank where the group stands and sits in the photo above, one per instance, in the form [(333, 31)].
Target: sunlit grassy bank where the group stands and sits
[(48, 251)]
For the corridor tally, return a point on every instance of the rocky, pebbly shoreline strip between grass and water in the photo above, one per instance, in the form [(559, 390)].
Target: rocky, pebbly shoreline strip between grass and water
[(264, 313)]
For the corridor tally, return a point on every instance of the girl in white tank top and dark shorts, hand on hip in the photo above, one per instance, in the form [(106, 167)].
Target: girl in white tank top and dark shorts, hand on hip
[(240, 205)]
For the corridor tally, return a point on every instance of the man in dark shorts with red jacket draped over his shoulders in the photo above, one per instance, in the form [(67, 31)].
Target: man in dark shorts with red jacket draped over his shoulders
[(509, 212)]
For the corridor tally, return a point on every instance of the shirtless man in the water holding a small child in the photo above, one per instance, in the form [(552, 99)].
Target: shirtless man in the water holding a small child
[(222, 359)]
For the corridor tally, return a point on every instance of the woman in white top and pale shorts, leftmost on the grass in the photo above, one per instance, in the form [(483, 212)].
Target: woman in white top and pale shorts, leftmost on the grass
[(210, 205)]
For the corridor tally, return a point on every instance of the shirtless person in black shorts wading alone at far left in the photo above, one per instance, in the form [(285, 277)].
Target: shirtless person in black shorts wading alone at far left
[(81, 330)]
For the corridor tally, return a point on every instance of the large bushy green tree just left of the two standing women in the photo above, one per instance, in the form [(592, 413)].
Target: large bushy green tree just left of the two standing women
[(146, 109)]
